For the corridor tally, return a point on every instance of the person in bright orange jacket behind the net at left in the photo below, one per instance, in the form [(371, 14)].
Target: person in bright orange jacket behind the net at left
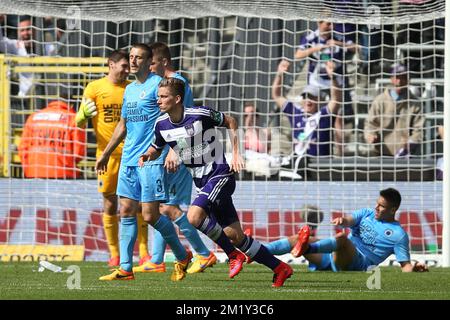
[(51, 144)]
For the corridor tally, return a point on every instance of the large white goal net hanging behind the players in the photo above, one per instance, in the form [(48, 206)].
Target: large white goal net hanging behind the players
[(230, 51)]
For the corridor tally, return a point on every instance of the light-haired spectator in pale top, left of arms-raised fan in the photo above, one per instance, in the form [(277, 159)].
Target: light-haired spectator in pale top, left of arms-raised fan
[(255, 138)]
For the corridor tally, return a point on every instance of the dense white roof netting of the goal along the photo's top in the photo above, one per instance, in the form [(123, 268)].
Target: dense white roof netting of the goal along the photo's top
[(338, 10)]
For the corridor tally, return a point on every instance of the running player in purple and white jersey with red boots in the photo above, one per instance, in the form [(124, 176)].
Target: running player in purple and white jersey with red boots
[(191, 133)]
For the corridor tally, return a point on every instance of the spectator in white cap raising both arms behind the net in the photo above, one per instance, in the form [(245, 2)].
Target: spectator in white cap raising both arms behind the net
[(312, 125)]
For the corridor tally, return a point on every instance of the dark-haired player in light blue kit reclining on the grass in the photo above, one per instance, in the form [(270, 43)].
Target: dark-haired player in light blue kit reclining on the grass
[(375, 235)]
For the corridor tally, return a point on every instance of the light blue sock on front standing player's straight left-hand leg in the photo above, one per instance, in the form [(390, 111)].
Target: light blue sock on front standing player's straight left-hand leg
[(128, 234)]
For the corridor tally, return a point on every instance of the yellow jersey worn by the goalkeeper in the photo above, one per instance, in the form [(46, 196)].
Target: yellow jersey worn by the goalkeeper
[(108, 98)]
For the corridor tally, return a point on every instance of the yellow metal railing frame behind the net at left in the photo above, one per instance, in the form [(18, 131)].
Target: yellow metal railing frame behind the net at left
[(63, 71)]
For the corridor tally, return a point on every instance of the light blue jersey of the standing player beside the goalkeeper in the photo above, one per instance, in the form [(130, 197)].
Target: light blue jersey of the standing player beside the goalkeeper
[(140, 110)]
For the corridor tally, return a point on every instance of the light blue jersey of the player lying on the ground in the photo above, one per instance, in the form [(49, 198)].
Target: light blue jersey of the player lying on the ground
[(376, 239)]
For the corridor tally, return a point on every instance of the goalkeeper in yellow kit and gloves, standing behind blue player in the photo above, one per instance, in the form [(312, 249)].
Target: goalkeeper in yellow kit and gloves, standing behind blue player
[(102, 102)]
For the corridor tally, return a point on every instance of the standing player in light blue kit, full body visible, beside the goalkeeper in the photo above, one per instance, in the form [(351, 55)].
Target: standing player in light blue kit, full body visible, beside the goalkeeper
[(145, 184)]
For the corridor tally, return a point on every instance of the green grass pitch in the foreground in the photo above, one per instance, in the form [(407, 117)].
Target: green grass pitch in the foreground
[(253, 283)]
